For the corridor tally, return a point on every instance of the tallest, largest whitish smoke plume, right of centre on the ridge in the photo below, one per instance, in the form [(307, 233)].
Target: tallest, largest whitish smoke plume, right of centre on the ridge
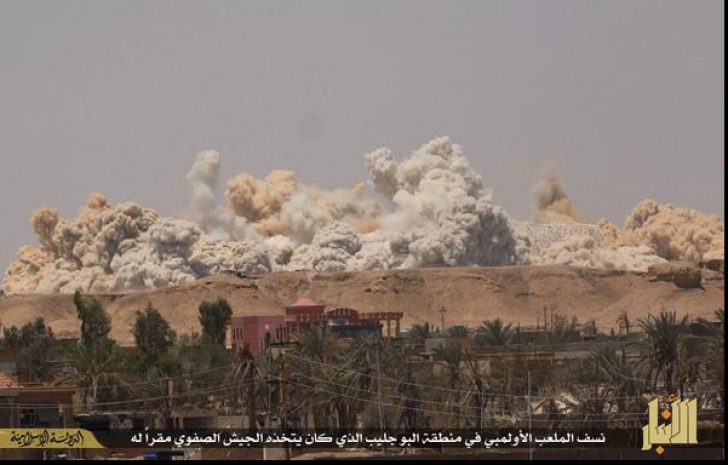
[(443, 214)]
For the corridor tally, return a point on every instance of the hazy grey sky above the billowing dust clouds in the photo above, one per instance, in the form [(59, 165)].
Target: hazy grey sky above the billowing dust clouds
[(625, 99)]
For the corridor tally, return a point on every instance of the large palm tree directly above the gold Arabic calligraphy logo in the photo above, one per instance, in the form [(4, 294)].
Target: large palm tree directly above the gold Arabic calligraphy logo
[(662, 339)]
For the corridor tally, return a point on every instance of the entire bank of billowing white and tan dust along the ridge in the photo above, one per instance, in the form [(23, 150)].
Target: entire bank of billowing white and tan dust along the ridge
[(431, 208)]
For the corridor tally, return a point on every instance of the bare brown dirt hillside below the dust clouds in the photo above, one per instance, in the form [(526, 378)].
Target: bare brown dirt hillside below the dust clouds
[(517, 294)]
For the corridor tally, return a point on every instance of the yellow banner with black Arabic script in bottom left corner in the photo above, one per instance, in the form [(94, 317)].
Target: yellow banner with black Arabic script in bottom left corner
[(48, 438)]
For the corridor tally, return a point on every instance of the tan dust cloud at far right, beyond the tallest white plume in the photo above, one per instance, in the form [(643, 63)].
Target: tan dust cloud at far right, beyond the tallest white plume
[(652, 233)]
